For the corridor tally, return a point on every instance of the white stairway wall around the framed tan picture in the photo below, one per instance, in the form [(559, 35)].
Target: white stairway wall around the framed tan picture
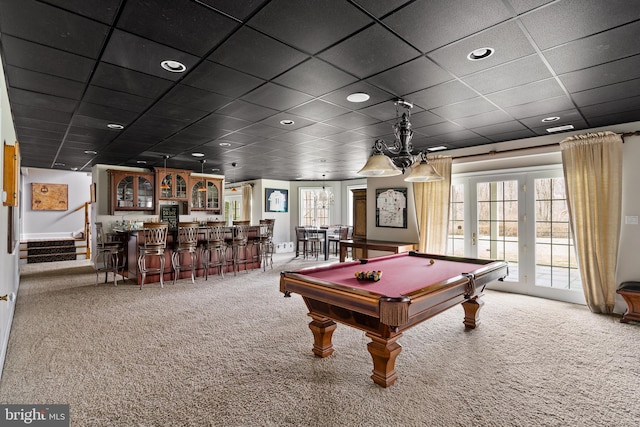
[(54, 224)]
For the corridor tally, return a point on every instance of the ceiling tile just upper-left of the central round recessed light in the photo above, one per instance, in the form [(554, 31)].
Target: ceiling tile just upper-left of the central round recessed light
[(315, 77)]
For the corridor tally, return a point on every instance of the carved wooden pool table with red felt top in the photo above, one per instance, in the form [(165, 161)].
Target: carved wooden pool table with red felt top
[(413, 287)]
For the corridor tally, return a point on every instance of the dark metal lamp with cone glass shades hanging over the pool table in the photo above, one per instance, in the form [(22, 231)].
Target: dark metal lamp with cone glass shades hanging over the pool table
[(396, 159)]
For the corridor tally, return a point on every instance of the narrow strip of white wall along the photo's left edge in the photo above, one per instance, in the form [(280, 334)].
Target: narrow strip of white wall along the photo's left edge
[(9, 271)]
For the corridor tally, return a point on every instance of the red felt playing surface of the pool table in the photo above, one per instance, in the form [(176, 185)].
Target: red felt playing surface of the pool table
[(401, 274)]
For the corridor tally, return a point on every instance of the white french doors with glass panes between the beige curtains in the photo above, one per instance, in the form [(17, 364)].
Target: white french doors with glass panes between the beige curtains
[(521, 218)]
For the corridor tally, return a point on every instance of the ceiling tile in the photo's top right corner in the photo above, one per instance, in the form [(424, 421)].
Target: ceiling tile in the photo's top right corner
[(548, 25)]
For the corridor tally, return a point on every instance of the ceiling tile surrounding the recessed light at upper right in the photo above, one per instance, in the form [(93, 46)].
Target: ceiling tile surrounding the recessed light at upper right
[(507, 39)]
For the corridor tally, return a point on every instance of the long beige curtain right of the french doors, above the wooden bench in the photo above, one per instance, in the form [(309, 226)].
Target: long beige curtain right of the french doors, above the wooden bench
[(592, 166)]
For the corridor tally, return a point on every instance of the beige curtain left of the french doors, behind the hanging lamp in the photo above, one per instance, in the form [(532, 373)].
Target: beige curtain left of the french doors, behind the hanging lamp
[(432, 208)]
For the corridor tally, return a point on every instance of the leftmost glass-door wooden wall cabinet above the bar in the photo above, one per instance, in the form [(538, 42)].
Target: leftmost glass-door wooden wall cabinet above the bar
[(131, 191)]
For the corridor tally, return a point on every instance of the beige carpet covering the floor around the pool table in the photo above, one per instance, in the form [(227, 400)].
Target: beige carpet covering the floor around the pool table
[(234, 352)]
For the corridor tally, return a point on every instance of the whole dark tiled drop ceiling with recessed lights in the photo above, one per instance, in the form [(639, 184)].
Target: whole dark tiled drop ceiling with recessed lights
[(73, 66)]
